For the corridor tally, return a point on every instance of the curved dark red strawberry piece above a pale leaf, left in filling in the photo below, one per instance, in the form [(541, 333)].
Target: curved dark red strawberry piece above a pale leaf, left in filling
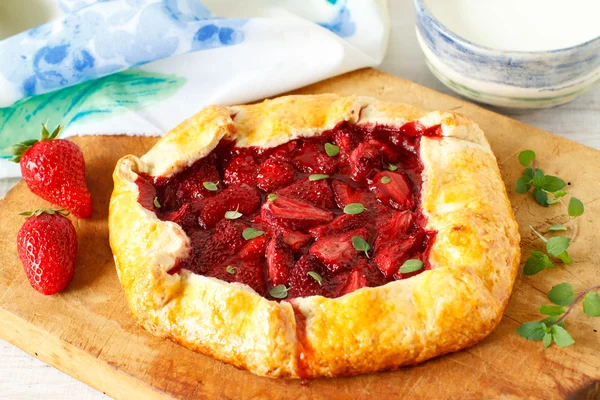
[(242, 197)]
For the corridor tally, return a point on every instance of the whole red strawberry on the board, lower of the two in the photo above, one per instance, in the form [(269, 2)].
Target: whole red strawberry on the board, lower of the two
[(47, 246)]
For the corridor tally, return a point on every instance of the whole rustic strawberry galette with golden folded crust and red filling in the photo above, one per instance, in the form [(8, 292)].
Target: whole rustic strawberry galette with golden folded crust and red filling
[(312, 236)]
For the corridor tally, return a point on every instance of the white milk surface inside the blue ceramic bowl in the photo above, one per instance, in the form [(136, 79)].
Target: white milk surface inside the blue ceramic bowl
[(523, 25)]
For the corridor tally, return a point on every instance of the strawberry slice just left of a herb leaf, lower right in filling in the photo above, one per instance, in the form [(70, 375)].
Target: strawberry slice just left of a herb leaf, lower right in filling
[(337, 251)]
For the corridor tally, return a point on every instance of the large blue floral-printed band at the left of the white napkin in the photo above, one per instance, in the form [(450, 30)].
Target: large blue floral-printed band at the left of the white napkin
[(104, 37)]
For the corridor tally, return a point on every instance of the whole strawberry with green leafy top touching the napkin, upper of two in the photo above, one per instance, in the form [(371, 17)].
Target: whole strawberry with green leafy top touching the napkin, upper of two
[(54, 169)]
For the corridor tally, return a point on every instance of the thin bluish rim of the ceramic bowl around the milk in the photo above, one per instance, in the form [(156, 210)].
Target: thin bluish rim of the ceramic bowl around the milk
[(519, 53)]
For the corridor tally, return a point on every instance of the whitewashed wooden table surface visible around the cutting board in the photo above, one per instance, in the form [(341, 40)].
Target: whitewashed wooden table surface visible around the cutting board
[(24, 377)]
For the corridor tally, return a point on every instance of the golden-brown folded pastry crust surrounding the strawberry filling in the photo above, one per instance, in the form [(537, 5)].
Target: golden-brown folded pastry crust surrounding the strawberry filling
[(458, 302)]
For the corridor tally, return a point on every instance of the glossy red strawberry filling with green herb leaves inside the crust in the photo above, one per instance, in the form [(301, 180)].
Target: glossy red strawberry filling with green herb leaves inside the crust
[(318, 216)]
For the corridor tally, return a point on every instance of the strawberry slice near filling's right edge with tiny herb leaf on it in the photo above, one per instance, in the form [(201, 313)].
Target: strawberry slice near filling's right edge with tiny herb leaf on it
[(396, 192)]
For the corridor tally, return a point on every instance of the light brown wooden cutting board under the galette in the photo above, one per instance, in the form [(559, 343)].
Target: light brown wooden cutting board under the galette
[(88, 333)]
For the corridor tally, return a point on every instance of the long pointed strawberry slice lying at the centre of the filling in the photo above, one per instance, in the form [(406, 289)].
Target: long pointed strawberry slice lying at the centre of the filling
[(293, 214)]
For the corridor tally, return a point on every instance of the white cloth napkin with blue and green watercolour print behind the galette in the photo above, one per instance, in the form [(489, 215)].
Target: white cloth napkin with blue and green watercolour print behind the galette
[(183, 58)]
